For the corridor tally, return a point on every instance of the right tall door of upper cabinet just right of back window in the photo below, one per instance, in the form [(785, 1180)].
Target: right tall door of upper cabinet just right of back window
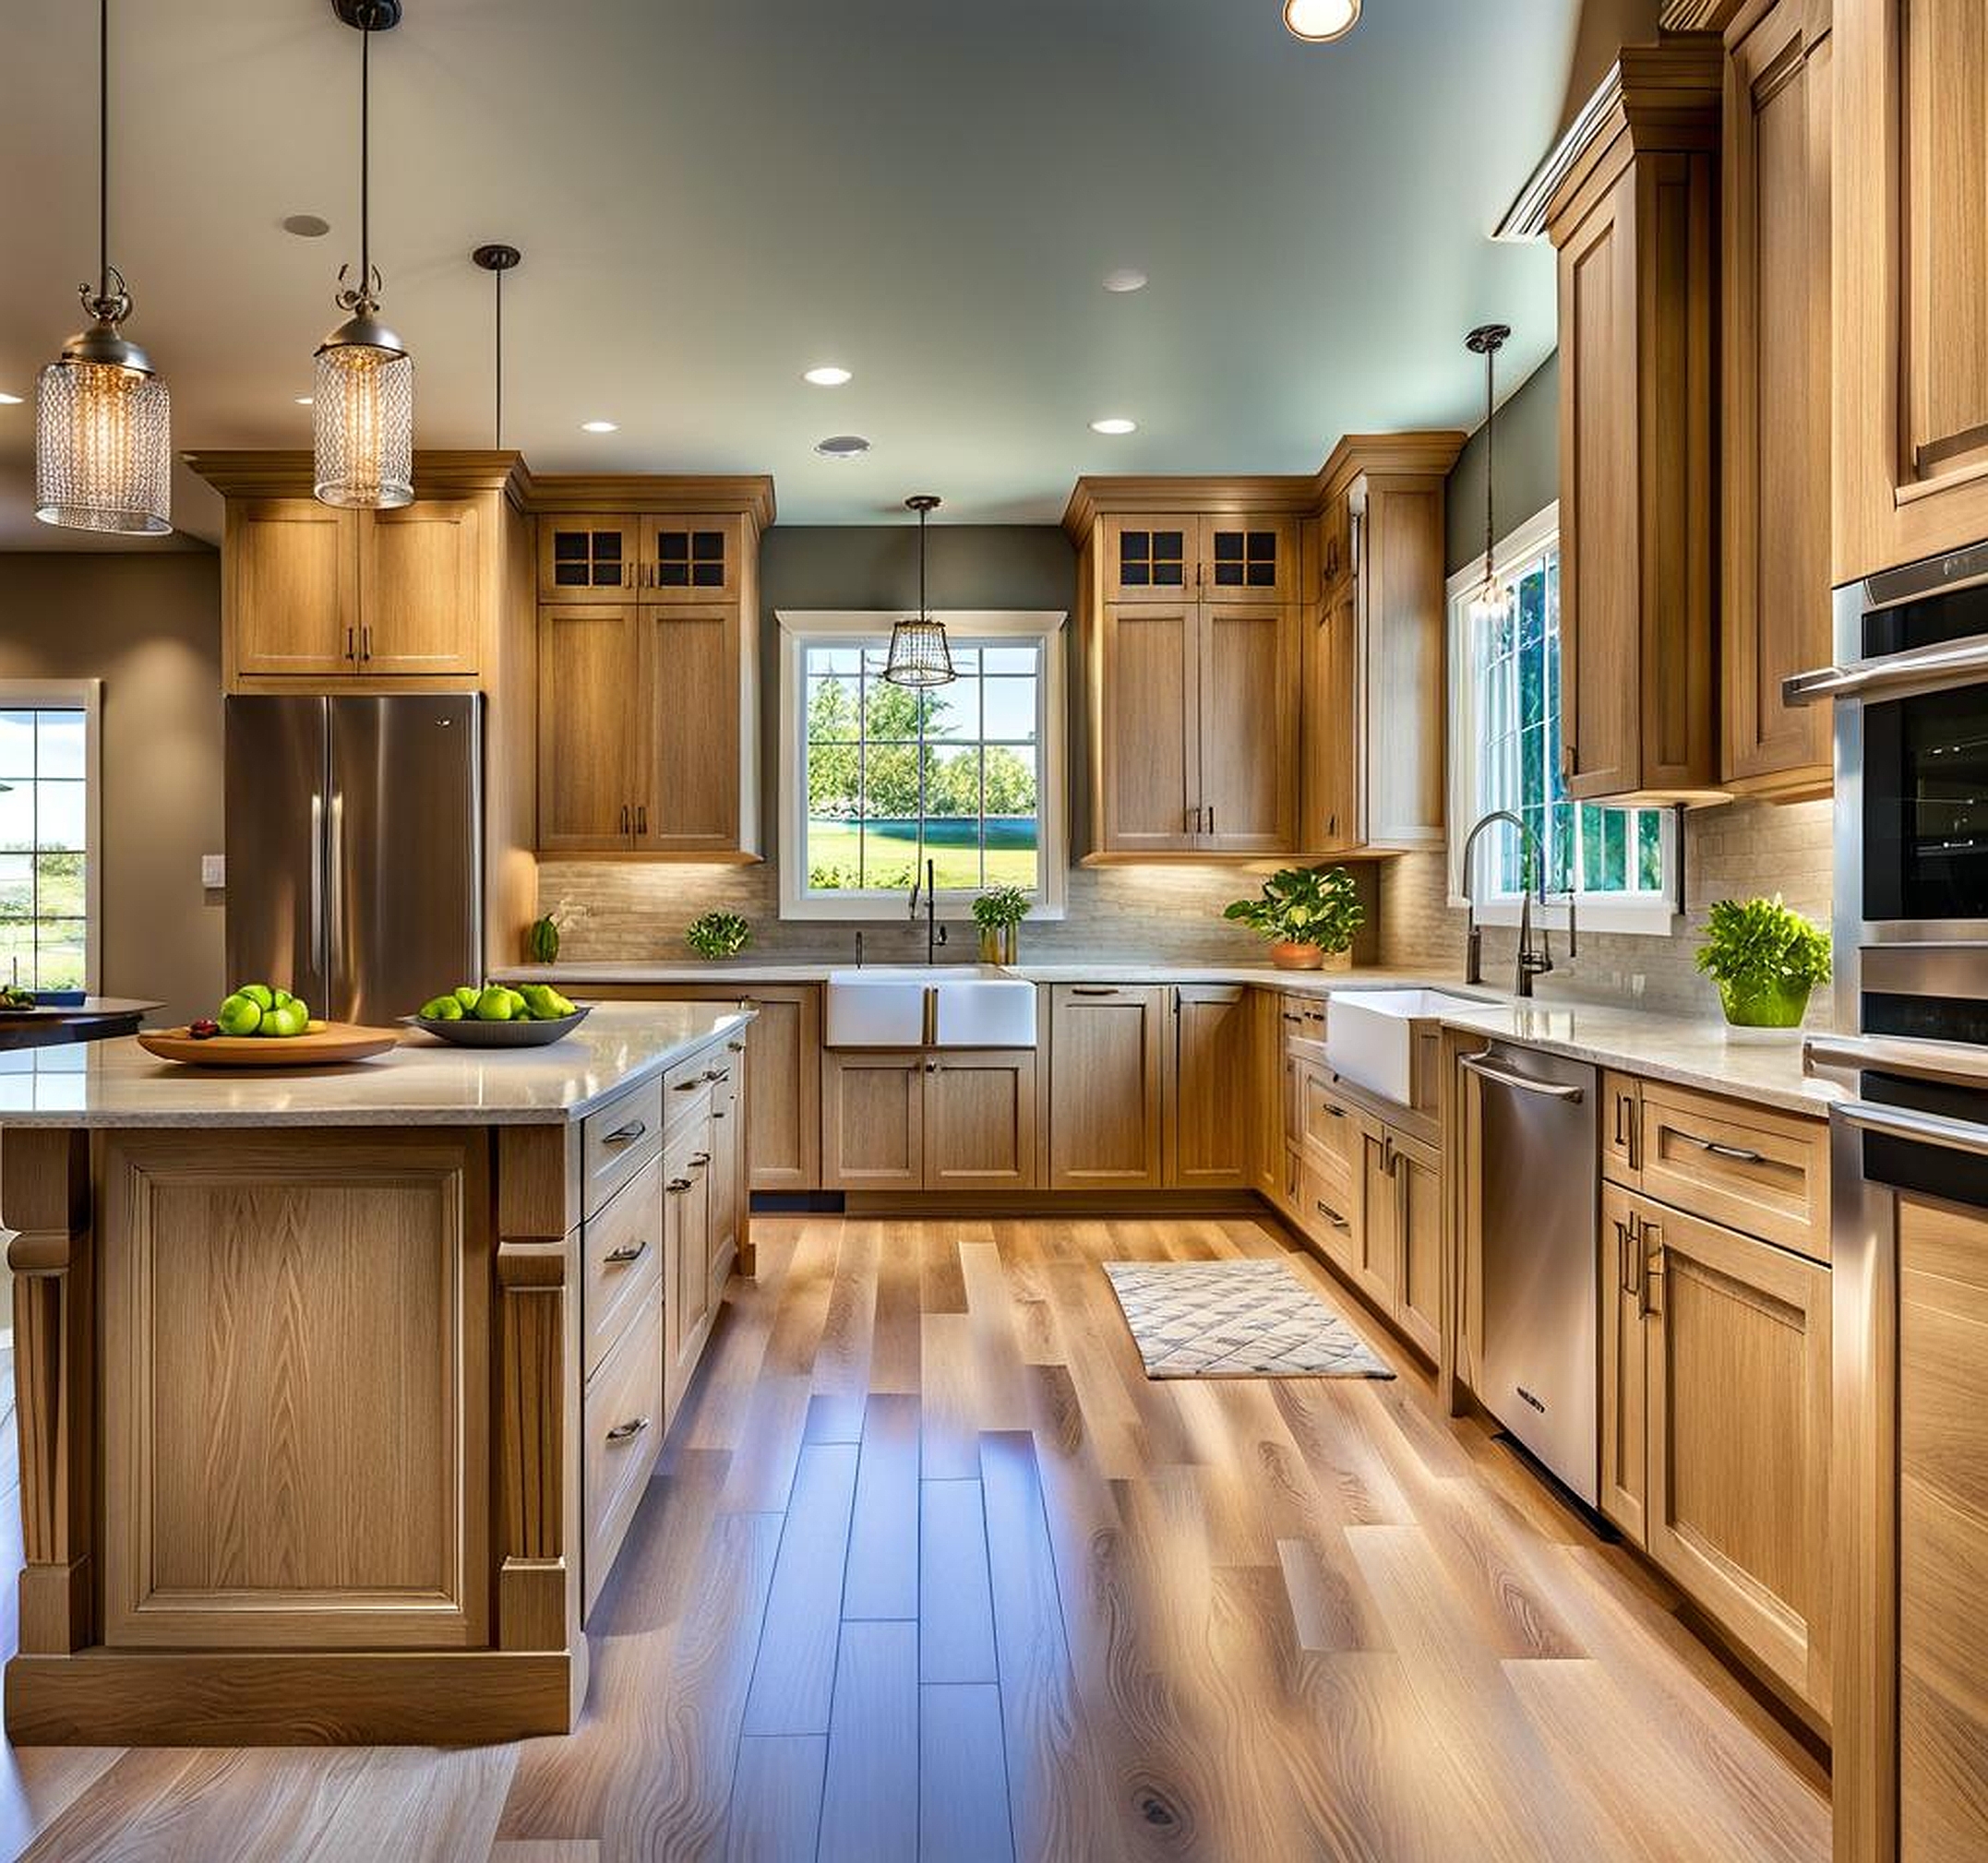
[(1247, 731)]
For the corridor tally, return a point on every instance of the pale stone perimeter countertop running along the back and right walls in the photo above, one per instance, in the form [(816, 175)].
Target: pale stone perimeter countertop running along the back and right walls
[(1691, 1051)]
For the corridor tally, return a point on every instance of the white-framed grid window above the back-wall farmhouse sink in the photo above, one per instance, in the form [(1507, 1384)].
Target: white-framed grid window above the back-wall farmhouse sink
[(878, 778)]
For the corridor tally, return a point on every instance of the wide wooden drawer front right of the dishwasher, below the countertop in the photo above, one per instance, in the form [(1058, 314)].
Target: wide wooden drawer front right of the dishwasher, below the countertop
[(1750, 1168)]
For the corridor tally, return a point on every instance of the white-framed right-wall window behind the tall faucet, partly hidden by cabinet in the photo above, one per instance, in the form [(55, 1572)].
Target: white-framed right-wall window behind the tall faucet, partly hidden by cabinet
[(1506, 735)]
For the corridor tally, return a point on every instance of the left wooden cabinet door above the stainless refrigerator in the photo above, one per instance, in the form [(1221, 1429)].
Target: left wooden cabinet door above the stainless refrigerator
[(293, 590)]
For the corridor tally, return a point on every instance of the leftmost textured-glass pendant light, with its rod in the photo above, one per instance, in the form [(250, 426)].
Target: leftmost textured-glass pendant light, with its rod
[(102, 419)]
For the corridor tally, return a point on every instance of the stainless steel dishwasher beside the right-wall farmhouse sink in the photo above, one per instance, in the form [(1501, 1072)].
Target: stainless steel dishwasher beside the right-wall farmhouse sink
[(1538, 1164)]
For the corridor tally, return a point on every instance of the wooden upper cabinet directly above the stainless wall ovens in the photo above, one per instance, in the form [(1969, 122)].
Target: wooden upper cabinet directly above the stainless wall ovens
[(1911, 281)]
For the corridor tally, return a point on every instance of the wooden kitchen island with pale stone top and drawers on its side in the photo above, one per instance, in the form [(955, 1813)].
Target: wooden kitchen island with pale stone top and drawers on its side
[(339, 1389)]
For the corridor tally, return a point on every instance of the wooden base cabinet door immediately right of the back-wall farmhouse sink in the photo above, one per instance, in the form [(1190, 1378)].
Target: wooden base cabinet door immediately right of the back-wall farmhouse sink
[(1106, 1071)]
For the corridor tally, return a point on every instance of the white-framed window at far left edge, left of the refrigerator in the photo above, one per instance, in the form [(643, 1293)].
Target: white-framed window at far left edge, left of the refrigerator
[(49, 834)]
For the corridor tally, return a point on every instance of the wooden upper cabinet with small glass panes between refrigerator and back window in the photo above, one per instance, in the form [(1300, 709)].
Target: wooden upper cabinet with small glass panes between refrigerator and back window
[(649, 695)]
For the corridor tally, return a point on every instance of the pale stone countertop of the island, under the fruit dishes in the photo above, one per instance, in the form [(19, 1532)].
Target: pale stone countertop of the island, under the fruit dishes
[(420, 1083)]
